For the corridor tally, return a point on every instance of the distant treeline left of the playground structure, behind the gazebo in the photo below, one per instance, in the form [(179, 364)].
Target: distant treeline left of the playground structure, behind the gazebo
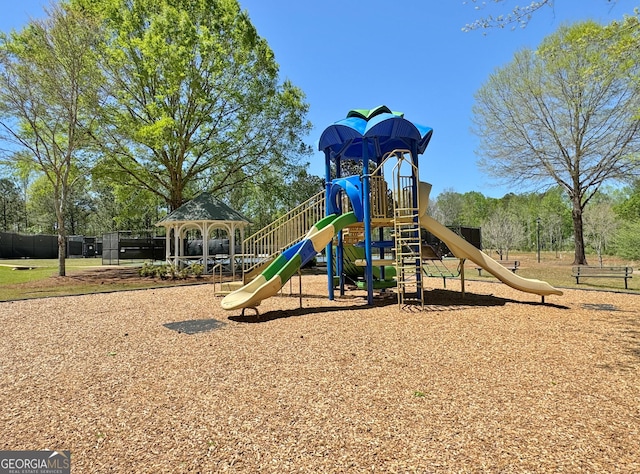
[(95, 206)]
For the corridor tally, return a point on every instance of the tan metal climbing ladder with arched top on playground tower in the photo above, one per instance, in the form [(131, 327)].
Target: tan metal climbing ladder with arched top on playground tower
[(406, 226)]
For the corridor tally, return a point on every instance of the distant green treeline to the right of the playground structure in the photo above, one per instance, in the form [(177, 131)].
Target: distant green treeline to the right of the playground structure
[(524, 221)]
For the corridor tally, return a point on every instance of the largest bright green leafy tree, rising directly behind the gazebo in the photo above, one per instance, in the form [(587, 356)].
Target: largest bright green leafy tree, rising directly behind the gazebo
[(195, 98)]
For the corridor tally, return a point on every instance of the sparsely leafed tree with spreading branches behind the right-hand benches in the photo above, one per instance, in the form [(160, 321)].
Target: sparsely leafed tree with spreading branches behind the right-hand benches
[(566, 114)]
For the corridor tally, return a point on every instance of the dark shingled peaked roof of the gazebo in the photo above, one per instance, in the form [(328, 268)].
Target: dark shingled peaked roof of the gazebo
[(203, 208)]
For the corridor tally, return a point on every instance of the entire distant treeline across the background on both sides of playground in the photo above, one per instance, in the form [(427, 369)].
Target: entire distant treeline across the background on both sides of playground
[(513, 222)]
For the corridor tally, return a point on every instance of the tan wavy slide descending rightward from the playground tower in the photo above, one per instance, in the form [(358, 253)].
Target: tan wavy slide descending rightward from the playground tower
[(463, 249)]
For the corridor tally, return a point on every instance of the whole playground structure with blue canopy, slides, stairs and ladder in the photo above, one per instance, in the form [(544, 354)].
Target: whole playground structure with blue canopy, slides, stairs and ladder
[(382, 210)]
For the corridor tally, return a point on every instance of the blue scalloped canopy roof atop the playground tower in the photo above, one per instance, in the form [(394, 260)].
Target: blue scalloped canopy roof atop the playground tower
[(384, 130)]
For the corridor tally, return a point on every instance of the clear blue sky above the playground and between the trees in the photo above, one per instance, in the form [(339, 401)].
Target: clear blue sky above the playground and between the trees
[(410, 55)]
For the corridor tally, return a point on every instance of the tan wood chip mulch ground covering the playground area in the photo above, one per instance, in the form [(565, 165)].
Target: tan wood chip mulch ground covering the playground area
[(165, 381)]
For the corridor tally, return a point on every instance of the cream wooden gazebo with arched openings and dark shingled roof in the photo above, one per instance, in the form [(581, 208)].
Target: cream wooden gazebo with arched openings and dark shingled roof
[(191, 230)]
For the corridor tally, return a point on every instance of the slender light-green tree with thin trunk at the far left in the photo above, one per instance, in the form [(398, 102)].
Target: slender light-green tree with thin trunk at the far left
[(48, 84)]
